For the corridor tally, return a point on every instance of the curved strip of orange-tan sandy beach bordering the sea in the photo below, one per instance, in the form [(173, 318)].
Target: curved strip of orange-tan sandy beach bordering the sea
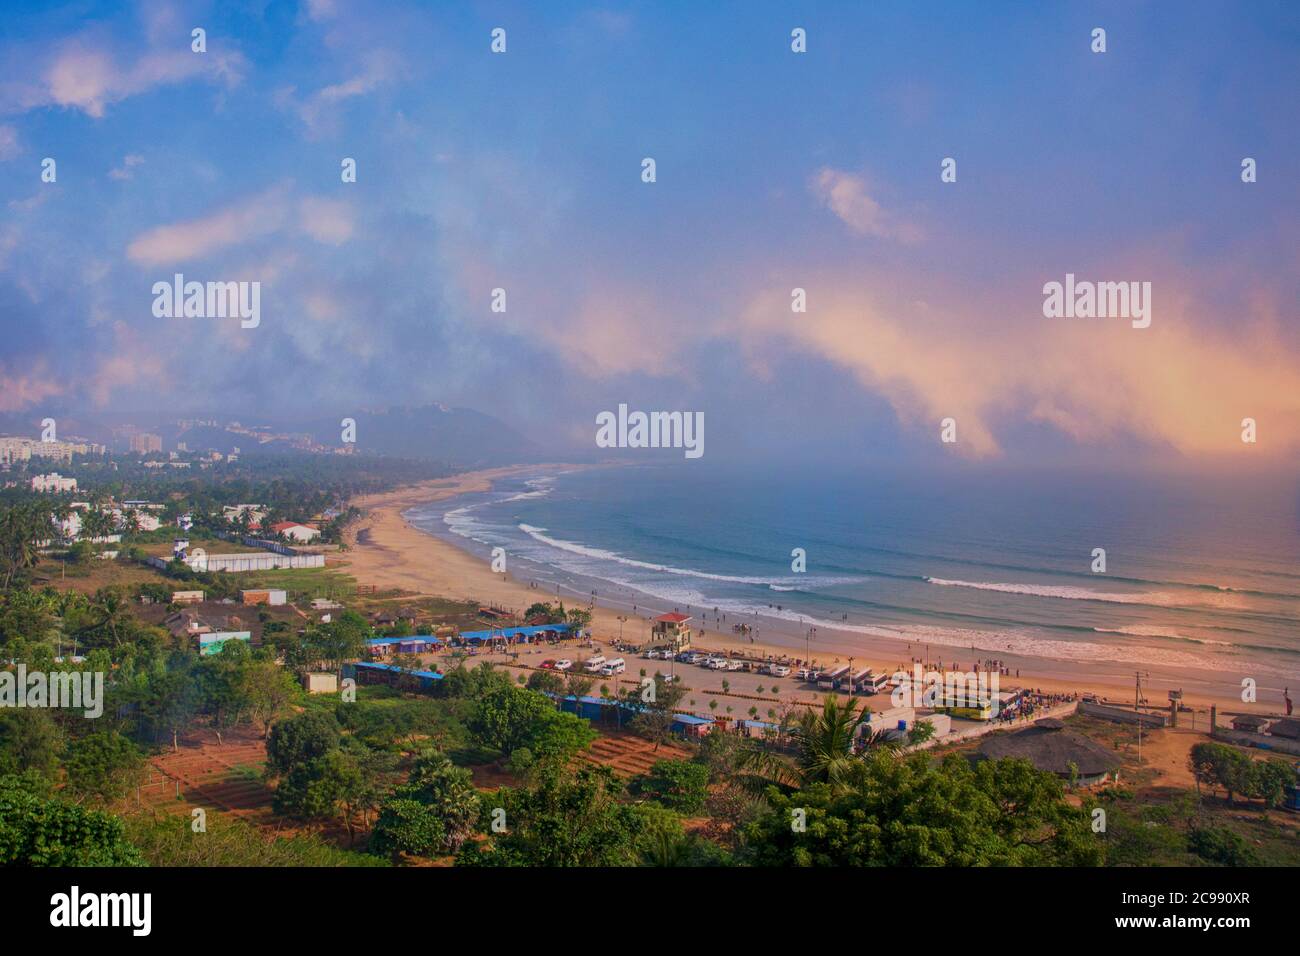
[(387, 552)]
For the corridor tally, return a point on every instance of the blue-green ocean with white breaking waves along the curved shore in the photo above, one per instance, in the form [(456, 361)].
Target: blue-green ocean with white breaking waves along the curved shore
[(1202, 582)]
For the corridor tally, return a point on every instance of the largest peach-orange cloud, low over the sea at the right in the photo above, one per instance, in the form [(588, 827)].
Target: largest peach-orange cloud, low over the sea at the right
[(1177, 384)]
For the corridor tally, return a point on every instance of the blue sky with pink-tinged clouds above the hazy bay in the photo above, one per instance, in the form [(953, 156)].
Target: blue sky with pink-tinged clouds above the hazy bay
[(774, 171)]
